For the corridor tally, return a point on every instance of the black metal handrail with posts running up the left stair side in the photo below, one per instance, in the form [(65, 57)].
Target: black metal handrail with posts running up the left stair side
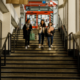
[(9, 47)]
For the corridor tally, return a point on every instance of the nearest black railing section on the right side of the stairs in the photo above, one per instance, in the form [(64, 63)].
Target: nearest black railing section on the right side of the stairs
[(76, 48)]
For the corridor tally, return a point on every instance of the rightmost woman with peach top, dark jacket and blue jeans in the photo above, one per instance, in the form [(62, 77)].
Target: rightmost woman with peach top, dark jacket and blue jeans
[(50, 34)]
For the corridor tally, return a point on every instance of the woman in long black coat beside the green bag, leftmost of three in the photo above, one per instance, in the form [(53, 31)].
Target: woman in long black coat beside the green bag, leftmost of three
[(26, 33)]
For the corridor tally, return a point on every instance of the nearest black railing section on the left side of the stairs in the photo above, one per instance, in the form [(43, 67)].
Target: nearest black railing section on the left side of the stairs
[(6, 47)]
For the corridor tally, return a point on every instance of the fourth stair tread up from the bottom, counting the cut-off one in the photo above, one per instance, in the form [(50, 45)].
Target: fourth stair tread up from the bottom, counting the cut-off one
[(39, 66)]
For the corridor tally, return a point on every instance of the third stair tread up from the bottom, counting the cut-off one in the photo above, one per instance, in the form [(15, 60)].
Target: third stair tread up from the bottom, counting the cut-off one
[(38, 70)]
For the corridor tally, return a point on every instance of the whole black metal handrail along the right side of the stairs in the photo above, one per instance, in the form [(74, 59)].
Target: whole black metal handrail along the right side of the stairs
[(71, 37)]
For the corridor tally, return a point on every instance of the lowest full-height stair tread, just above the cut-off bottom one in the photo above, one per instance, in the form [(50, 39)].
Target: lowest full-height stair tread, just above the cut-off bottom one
[(38, 75)]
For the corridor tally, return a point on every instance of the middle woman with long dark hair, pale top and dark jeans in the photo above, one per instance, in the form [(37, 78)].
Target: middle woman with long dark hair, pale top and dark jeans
[(41, 28)]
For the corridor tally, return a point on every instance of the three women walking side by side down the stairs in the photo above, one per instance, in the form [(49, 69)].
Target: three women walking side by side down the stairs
[(43, 31)]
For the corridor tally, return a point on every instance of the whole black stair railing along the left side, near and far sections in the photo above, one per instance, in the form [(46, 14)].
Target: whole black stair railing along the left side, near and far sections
[(7, 46)]
